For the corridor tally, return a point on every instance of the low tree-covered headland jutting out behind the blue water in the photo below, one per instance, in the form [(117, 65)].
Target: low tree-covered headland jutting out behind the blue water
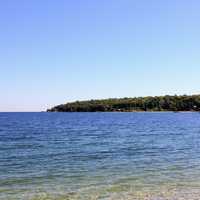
[(137, 104)]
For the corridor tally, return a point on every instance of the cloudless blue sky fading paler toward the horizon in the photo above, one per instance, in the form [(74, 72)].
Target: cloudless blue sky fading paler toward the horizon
[(53, 52)]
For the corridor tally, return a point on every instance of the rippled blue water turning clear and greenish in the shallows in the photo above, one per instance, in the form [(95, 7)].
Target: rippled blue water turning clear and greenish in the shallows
[(99, 156)]
